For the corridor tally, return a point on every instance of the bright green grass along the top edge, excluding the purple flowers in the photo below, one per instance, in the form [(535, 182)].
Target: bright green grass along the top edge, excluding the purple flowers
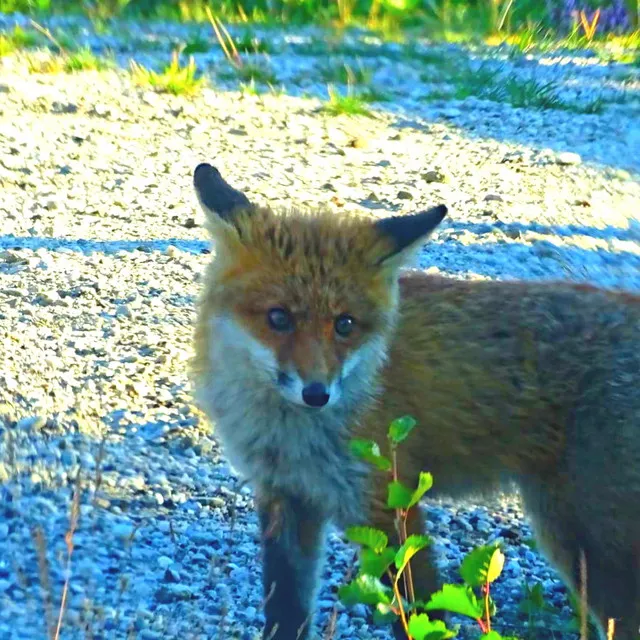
[(527, 23)]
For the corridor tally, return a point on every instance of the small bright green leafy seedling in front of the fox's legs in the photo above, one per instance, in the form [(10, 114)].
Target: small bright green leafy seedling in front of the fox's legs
[(384, 580)]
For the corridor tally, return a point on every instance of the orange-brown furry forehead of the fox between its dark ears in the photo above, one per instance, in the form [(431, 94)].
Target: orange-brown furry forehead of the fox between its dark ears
[(318, 263)]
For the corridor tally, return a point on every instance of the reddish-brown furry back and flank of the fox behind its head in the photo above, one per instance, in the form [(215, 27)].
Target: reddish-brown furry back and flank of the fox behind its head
[(499, 373)]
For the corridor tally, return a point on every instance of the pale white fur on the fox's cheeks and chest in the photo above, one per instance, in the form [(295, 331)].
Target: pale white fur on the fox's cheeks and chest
[(276, 445)]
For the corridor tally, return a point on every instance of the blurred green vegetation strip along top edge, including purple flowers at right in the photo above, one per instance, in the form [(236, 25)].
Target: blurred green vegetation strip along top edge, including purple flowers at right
[(480, 17)]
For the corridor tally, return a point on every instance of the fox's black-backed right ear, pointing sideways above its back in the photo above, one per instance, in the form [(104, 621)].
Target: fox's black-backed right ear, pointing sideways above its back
[(407, 233)]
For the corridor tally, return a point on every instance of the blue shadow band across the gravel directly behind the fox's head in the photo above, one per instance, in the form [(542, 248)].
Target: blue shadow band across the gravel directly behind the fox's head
[(535, 259)]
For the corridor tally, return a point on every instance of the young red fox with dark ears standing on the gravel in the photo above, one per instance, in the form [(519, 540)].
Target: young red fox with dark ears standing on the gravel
[(313, 329)]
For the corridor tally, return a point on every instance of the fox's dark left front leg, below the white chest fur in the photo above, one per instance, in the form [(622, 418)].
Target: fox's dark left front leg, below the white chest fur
[(292, 543)]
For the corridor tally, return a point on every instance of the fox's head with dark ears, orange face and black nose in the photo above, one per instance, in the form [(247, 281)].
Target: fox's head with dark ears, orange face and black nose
[(308, 298)]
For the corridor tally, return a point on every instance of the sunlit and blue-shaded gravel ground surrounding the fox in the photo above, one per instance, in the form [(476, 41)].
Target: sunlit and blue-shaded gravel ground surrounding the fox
[(101, 253)]
